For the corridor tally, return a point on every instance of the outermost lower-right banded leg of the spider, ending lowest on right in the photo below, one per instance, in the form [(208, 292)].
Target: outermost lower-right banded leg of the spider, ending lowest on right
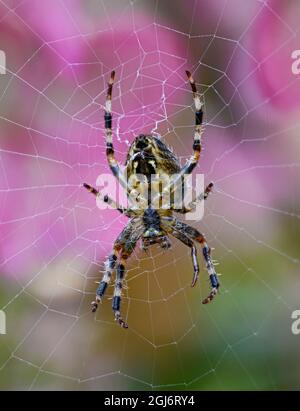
[(193, 234)]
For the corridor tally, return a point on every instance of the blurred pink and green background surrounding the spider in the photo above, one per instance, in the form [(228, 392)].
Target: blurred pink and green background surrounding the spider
[(54, 239)]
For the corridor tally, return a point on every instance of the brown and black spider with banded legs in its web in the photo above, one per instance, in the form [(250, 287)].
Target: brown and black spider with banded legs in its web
[(148, 155)]
